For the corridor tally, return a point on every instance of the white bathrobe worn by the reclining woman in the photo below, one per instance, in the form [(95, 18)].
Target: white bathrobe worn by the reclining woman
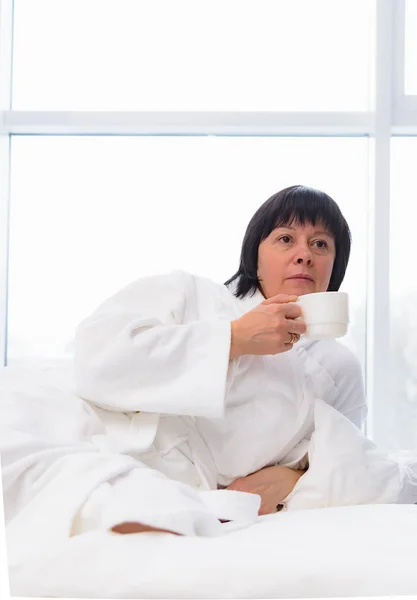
[(159, 418)]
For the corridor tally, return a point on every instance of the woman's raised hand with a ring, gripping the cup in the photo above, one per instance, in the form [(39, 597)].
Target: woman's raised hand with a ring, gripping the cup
[(267, 328)]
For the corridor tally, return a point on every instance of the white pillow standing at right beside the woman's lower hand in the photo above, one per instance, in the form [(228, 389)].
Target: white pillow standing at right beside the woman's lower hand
[(346, 468)]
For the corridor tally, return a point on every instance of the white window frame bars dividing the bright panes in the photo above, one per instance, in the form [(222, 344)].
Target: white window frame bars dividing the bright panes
[(394, 113)]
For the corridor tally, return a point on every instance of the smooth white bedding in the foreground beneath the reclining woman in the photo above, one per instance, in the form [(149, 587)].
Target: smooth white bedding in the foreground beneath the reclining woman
[(334, 552)]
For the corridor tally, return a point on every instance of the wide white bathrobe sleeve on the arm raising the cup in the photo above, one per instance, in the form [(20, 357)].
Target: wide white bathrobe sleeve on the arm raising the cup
[(145, 349)]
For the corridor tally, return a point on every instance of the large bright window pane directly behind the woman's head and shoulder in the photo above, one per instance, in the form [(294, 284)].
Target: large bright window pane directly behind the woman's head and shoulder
[(91, 214)]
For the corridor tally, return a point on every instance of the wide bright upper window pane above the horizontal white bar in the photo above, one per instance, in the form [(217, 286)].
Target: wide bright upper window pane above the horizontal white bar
[(188, 55)]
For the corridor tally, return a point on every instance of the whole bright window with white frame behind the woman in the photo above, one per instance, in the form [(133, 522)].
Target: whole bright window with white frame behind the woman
[(123, 113)]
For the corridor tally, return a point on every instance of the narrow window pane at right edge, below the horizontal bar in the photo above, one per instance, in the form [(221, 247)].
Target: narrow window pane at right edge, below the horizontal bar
[(397, 421)]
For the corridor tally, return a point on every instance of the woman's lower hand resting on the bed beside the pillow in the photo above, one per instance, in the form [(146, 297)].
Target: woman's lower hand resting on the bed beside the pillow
[(273, 484)]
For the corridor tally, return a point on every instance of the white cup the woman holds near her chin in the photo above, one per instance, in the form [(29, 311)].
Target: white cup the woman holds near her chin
[(326, 314)]
